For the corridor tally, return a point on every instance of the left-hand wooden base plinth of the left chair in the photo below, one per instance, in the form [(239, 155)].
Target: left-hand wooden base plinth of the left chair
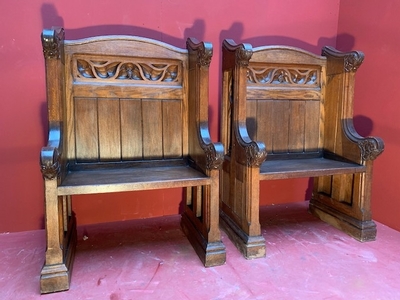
[(57, 278)]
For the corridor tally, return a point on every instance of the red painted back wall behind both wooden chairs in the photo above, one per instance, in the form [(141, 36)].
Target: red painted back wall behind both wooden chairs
[(309, 24)]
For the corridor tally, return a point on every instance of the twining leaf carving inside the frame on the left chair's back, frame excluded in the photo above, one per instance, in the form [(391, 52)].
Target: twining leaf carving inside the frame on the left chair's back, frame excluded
[(125, 70)]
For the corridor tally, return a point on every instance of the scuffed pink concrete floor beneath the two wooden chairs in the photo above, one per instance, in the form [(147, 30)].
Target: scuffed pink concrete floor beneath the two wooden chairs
[(152, 259)]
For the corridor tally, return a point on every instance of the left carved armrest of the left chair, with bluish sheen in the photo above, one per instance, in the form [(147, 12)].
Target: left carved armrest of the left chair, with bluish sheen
[(50, 156)]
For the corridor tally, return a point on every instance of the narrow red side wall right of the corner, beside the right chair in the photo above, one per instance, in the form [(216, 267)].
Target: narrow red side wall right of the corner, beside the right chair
[(373, 27)]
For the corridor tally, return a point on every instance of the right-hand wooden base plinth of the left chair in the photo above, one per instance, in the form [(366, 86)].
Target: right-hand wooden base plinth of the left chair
[(211, 254)]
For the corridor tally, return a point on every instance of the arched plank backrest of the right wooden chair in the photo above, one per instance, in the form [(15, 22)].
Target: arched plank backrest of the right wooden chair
[(285, 100)]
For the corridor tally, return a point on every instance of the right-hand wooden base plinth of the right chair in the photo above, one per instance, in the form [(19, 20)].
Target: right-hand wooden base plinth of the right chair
[(362, 231)]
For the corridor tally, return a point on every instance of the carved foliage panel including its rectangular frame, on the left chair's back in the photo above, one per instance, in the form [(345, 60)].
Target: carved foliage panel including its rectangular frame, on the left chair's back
[(126, 69)]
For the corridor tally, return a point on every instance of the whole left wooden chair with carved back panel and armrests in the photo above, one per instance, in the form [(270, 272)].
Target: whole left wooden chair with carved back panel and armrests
[(125, 114)]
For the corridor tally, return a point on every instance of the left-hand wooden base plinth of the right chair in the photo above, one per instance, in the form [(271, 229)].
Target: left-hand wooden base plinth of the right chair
[(250, 246)]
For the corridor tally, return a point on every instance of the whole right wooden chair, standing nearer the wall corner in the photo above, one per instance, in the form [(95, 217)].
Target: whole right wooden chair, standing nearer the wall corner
[(287, 113)]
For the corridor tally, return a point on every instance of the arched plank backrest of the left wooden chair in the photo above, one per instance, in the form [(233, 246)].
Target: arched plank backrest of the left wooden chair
[(123, 98)]
